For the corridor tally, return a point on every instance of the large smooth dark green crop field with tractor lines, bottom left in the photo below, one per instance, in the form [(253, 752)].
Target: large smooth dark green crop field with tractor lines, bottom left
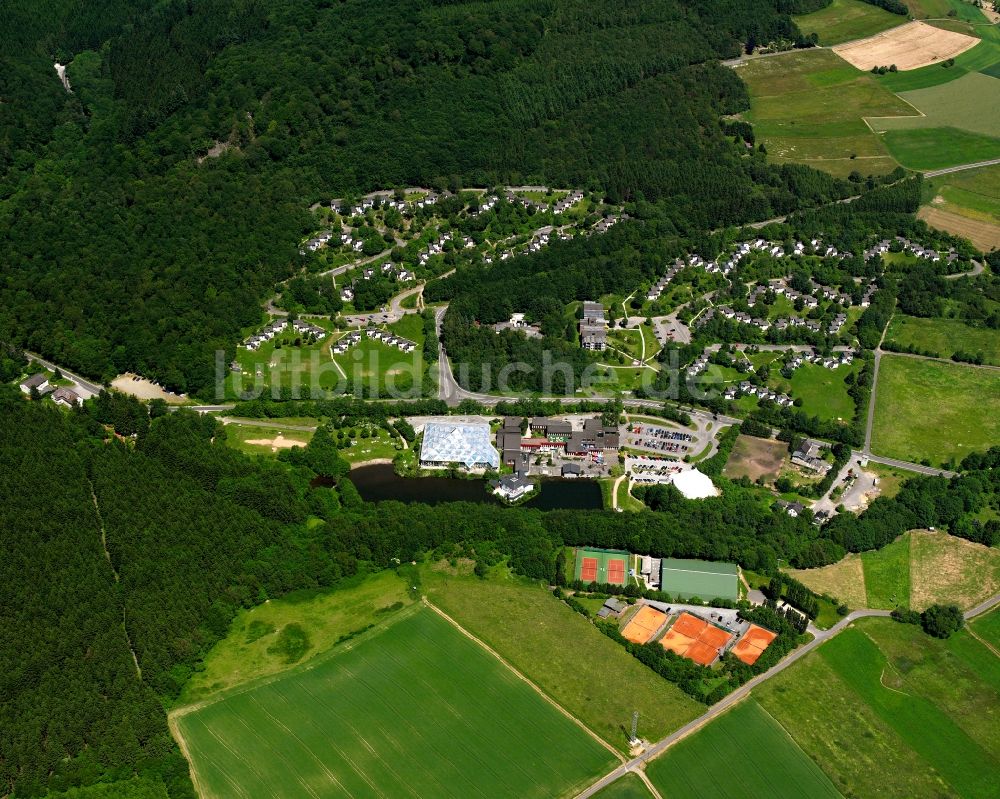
[(415, 709)]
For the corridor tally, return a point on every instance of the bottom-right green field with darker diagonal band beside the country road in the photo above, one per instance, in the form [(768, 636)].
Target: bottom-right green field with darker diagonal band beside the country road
[(887, 711)]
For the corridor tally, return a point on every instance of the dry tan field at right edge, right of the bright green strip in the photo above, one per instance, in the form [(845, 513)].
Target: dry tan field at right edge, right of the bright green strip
[(944, 568)]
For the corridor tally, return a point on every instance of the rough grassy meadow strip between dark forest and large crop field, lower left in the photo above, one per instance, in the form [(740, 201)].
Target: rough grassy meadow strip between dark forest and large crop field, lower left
[(249, 649)]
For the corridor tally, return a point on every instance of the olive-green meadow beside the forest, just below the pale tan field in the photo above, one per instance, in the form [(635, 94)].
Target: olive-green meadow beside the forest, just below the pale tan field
[(809, 107)]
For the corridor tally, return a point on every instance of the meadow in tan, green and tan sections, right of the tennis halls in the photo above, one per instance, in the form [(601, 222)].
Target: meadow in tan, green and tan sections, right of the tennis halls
[(918, 569)]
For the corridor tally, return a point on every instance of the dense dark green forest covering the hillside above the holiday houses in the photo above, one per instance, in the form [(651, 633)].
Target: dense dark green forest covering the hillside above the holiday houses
[(126, 248)]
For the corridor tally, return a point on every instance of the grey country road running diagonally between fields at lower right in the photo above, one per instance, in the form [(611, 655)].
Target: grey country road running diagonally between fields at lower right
[(636, 764)]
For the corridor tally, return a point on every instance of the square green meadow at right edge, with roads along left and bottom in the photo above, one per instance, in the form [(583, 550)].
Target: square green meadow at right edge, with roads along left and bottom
[(934, 410)]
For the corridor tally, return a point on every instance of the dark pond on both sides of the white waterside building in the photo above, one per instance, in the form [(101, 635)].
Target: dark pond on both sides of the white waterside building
[(379, 482)]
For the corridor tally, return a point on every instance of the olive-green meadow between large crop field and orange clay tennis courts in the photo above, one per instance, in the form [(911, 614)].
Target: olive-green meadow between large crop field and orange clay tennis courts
[(563, 653)]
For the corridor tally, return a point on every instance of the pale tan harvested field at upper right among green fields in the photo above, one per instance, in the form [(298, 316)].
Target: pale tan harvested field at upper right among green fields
[(909, 46)]
